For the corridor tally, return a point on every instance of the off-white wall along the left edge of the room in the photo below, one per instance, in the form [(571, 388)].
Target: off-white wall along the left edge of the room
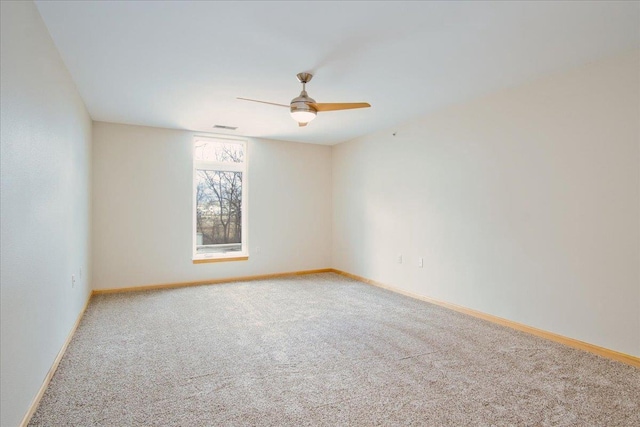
[(45, 201)]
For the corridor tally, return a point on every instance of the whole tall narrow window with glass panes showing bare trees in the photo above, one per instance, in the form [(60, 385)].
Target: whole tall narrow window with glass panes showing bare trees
[(220, 203)]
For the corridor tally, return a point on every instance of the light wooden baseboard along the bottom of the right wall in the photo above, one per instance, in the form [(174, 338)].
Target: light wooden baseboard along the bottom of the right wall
[(581, 345)]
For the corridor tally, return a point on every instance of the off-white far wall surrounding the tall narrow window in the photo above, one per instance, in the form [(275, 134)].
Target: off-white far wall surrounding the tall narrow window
[(142, 208)]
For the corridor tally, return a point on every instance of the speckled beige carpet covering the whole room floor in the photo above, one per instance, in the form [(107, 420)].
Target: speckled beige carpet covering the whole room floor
[(320, 350)]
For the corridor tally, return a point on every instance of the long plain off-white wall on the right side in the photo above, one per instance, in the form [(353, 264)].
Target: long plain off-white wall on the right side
[(524, 204)]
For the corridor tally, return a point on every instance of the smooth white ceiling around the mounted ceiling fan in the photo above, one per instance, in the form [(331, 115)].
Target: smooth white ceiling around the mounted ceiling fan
[(182, 64)]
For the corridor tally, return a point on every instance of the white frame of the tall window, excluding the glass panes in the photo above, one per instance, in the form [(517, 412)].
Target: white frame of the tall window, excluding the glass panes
[(243, 255)]
